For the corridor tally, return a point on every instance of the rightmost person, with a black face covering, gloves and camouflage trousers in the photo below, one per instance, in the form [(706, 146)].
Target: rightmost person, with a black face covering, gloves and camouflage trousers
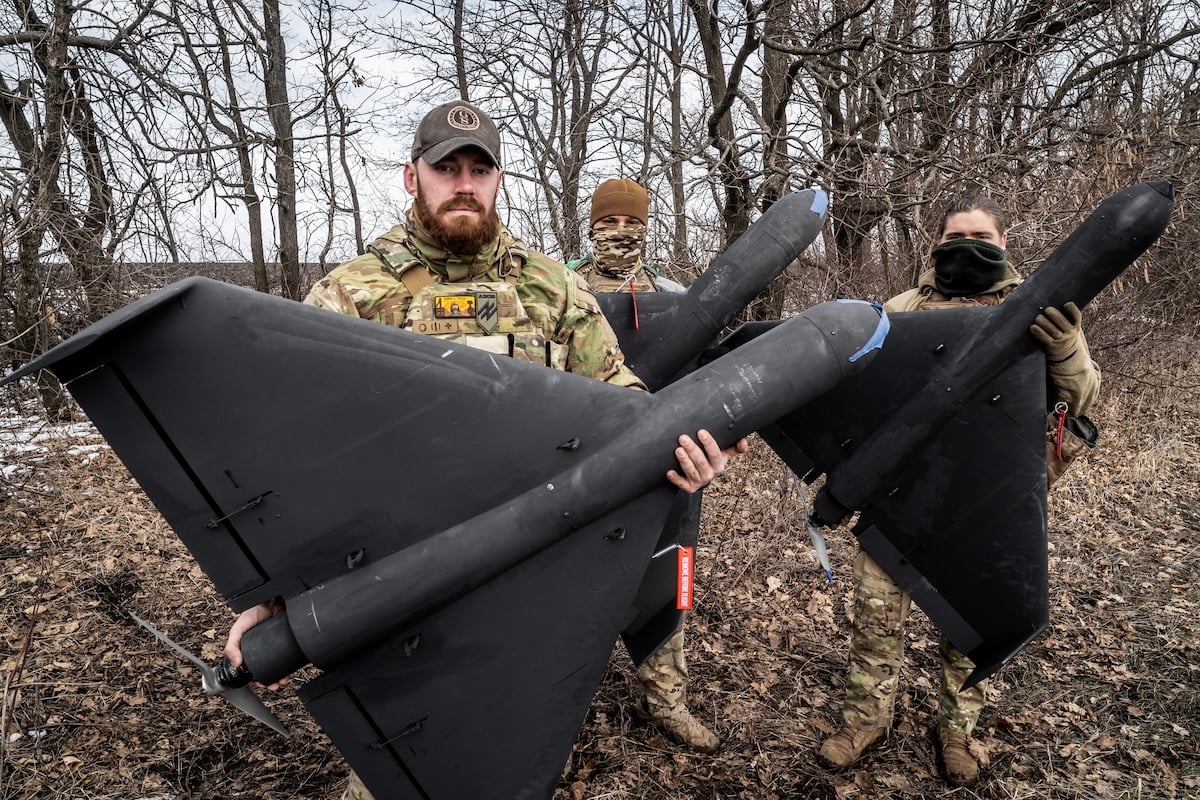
[(970, 269)]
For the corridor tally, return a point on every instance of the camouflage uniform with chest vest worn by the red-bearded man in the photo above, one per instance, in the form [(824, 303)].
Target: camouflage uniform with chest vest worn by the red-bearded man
[(547, 315)]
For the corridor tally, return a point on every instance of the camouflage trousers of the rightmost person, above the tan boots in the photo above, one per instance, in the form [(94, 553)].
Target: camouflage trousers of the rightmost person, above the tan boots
[(877, 653)]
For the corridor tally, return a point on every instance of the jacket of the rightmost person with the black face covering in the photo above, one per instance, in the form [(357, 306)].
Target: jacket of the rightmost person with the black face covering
[(1076, 381)]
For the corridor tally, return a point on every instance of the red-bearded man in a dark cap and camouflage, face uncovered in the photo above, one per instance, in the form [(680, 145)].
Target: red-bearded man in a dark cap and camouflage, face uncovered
[(452, 270)]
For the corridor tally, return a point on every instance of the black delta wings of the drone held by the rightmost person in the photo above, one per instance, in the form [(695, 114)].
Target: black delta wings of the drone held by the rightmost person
[(961, 522)]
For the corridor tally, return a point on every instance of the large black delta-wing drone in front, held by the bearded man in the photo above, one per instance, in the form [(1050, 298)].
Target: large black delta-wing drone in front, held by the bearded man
[(457, 538)]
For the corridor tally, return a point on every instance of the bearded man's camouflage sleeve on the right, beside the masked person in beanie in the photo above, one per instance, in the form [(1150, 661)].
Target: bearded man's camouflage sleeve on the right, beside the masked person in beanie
[(593, 348)]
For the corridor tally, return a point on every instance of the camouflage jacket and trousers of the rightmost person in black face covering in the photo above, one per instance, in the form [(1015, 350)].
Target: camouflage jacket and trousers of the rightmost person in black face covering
[(877, 648)]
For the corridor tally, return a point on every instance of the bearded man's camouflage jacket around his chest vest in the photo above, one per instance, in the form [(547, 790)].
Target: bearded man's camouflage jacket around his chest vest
[(557, 303)]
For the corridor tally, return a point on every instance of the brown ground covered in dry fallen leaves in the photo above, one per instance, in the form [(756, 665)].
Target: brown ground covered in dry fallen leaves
[(1105, 705)]
